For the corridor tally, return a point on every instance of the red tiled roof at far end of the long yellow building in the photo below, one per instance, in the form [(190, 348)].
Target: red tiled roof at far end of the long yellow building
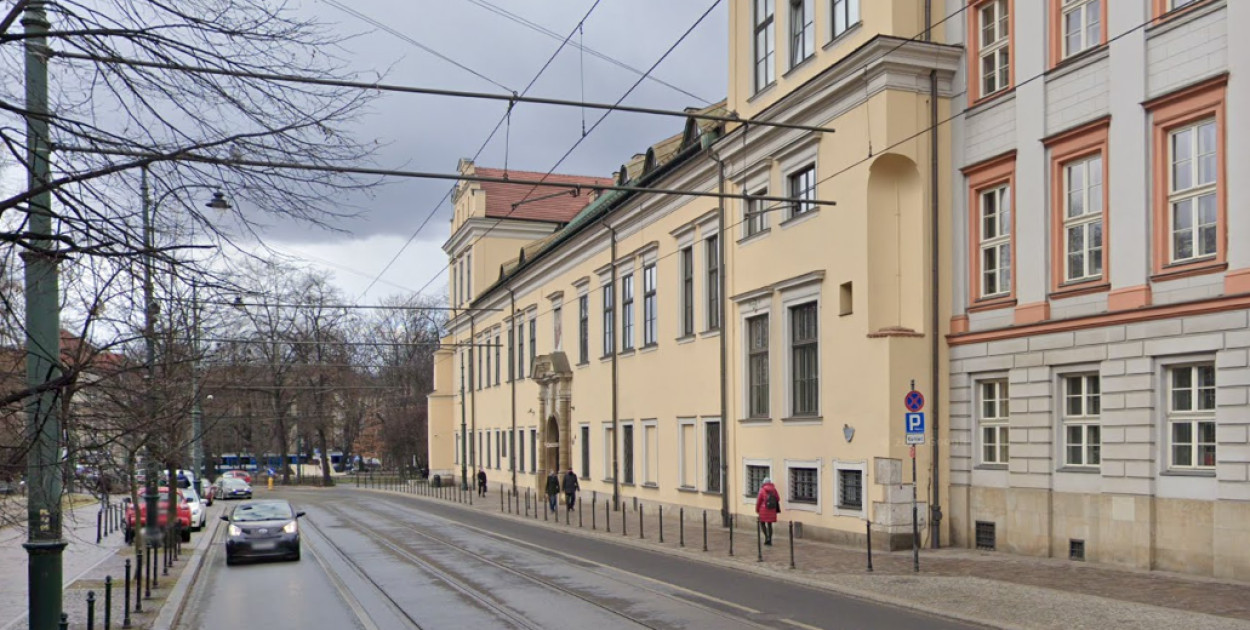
[(558, 209)]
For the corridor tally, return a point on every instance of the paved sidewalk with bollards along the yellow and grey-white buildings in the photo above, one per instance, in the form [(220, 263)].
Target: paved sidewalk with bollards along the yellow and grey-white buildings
[(993, 589)]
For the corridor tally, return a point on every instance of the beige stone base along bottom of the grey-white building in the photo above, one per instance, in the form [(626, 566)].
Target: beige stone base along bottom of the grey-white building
[(1184, 536)]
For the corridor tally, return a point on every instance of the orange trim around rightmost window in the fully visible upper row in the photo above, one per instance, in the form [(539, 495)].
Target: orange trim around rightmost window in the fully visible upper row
[(1171, 112)]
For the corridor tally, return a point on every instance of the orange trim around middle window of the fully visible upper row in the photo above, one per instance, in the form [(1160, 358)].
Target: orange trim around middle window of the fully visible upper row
[(1077, 144)]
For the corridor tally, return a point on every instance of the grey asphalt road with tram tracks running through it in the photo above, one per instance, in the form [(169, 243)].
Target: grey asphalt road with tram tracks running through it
[(377, 562)]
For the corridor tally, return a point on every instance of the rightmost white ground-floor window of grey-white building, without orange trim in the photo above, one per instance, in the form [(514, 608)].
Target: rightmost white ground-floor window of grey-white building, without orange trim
[(1192, 417)]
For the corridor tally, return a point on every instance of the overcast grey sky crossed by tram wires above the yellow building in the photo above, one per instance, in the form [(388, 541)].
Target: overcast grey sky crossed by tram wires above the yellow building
[(432, 134)]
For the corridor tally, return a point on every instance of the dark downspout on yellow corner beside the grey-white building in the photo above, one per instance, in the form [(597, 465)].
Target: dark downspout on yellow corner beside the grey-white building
[(936, 296)]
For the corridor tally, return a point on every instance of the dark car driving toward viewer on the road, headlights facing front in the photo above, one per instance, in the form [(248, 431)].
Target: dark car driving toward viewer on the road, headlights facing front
[(263, 529)]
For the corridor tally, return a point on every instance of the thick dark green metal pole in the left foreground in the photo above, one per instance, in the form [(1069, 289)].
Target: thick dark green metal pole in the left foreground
[(44, 544)]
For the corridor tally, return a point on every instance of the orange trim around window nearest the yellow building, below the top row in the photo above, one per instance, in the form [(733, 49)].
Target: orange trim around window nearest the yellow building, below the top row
[(981, 177)]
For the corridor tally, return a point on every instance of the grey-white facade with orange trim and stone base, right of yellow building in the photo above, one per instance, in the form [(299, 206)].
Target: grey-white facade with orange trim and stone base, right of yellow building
[(1128, 326)]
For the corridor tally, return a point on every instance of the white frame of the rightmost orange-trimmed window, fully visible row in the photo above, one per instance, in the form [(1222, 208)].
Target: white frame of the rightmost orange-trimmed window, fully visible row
[(1198, 192)]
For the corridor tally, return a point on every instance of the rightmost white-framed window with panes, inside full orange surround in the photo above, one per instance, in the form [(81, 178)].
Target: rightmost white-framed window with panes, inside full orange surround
[(1192, 192)]
